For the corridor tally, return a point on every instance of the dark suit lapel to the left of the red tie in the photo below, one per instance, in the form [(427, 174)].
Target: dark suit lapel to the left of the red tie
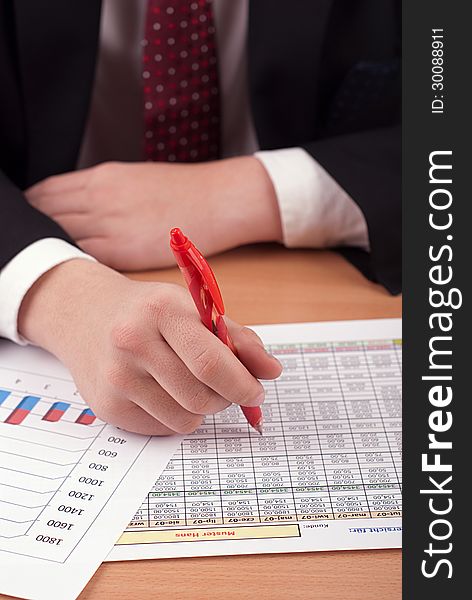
[(57, 46)]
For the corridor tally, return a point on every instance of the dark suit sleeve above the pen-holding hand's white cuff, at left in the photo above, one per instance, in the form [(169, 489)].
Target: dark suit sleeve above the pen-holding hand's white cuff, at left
[(20, 223)]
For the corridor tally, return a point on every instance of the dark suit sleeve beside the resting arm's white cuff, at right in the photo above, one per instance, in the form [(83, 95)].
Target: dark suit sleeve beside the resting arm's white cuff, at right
[(366, 165)]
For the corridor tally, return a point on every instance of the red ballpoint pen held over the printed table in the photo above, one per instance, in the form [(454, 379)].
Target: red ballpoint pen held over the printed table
[(206, 294)]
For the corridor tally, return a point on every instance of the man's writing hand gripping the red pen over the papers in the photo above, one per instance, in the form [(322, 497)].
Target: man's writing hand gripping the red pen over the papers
[(138, 353)]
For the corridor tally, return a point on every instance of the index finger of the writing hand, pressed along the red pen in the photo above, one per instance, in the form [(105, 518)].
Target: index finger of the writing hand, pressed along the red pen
[(210, 361)]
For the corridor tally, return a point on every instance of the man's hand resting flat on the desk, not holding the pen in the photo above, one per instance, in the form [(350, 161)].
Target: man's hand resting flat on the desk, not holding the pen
[(122, 213)]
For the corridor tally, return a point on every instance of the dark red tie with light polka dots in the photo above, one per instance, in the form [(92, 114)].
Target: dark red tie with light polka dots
[(180, 77)]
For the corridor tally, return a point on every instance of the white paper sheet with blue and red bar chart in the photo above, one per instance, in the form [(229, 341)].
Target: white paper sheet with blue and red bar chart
[(69, 483)]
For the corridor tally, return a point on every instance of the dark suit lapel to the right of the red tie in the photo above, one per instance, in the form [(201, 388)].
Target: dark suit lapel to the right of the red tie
[(285, 44)]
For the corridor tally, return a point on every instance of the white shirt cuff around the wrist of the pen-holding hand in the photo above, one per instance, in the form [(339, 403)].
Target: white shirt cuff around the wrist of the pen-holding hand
[(22, 271)]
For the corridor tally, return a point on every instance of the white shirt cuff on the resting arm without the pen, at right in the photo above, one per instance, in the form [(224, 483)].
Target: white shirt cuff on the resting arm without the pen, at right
[(315, 211)]
